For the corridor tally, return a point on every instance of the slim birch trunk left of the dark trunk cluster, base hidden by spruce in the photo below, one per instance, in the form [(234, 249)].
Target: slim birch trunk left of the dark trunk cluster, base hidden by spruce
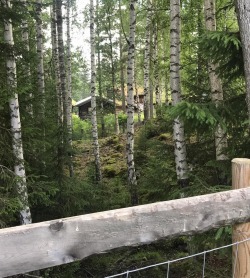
[(40, 66)]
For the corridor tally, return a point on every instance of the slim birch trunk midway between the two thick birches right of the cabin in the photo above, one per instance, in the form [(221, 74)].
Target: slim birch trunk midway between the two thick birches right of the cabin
[(147, 62)]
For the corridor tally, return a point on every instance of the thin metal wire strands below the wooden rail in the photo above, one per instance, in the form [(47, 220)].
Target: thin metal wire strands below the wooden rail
[(180, 259)]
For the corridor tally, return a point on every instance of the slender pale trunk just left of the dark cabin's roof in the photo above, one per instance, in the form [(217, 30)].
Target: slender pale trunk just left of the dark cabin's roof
[(69, 89)]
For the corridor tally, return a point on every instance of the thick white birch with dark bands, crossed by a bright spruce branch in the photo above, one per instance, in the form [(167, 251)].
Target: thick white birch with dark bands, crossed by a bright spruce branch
[(175, 86)]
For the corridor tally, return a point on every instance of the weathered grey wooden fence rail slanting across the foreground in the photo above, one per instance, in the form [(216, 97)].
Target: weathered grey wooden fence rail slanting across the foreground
[(47, 244)]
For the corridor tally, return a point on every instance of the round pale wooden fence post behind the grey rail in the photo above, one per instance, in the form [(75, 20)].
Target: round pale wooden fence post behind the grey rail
[(241, 252)]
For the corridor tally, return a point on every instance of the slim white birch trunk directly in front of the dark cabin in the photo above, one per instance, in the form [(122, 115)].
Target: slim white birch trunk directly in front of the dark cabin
[(93, 95)]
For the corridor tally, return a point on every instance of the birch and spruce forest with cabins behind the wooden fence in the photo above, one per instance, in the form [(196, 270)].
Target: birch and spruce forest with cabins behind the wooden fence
[(168, 88)]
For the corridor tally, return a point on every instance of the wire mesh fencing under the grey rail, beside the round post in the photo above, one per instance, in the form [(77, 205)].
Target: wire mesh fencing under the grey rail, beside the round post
[(168, 263)]
